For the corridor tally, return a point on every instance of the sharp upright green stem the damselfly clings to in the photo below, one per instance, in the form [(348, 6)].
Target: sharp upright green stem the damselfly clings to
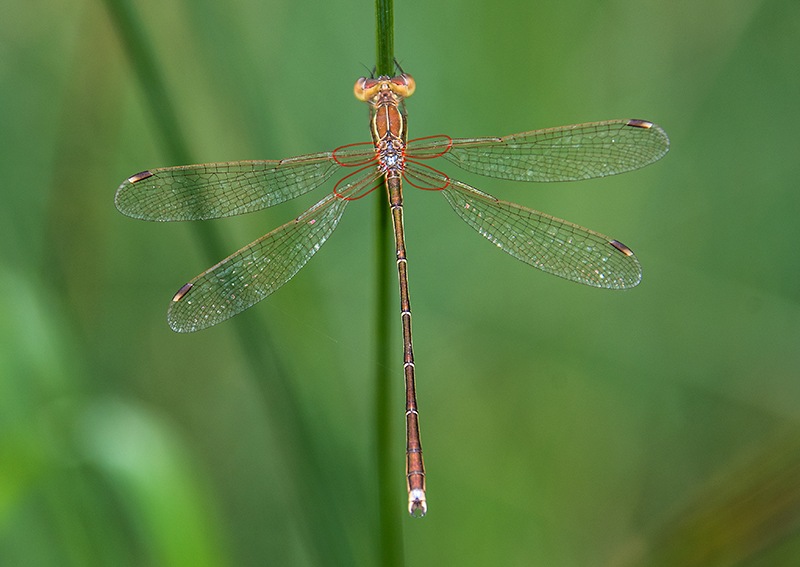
[(390, 508)]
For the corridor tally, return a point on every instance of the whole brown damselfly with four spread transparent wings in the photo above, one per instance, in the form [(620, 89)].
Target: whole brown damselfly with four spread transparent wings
[(567, 153)]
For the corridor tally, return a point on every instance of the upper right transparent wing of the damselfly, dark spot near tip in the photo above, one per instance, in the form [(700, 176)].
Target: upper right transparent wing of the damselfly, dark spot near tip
[(566, 153)]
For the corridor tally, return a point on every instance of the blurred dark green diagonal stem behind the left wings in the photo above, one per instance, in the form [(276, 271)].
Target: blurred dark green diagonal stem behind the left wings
[(315, 505)]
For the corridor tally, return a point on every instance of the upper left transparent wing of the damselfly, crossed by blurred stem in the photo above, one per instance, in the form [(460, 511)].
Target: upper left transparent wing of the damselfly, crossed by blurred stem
[(214, 190)]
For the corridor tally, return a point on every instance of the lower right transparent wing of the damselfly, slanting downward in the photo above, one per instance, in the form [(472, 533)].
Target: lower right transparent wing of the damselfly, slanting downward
[(548, 243)]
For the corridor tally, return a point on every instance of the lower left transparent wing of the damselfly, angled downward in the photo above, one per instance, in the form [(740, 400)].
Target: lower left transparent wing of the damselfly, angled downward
[(254, 272)]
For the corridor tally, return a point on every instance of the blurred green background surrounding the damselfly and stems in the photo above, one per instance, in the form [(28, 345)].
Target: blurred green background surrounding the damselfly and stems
[(562, 425)]
